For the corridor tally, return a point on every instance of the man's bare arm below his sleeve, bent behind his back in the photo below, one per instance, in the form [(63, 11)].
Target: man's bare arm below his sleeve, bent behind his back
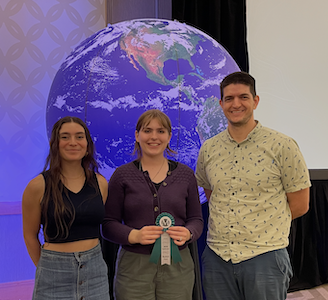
[(299, 202)]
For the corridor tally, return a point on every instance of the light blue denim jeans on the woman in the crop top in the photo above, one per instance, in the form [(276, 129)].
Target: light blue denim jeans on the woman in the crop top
[(71, 276)]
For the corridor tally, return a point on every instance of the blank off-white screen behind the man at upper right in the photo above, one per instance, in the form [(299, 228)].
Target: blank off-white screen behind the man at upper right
[(288, 49)]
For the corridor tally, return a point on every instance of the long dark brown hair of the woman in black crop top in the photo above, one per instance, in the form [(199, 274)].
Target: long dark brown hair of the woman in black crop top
[(64, 214)]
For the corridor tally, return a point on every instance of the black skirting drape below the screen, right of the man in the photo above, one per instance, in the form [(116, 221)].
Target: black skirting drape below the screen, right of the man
[(308, 246)]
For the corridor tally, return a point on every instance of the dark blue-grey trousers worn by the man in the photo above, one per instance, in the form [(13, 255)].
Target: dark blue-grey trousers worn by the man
[(264, 277)]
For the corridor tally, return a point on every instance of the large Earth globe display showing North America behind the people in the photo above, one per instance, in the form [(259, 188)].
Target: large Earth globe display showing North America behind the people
[(112, 77)]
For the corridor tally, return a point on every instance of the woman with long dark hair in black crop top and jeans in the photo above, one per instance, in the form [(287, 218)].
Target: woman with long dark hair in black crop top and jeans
[(67, 201)]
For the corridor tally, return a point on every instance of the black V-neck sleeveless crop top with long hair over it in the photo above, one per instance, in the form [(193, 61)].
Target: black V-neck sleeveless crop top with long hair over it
[(89, 214)]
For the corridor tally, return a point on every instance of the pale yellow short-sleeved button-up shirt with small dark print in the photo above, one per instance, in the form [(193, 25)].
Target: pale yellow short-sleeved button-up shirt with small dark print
[(248, 209)]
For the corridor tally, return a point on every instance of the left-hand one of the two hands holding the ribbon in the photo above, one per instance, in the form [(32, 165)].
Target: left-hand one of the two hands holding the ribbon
[(147, 235)]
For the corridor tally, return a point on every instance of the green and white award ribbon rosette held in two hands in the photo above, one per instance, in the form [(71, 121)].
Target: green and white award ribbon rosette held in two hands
[(164, 246)]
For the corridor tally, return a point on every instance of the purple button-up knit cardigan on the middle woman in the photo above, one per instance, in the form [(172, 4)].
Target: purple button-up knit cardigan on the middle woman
[(134, 202)]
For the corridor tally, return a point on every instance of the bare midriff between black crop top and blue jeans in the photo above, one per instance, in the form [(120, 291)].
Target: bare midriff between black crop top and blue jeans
[(77, 246)]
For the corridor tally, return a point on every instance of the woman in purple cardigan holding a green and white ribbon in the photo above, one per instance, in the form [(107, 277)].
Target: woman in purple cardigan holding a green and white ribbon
[(142, 193)]
